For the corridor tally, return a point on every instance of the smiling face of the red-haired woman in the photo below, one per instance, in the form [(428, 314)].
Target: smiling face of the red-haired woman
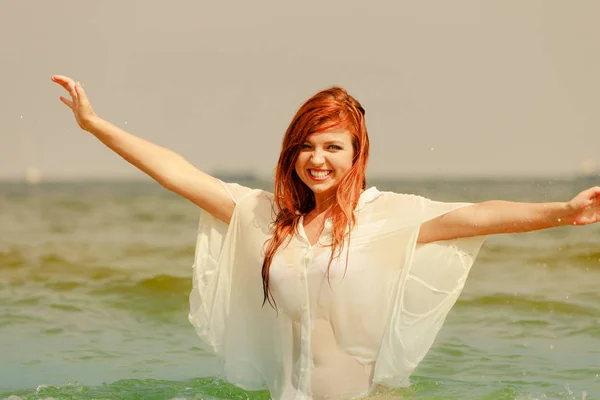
[(324, 160)]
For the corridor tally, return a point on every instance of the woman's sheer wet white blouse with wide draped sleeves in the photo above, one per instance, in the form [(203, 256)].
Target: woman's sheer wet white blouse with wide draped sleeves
[(339, 335)]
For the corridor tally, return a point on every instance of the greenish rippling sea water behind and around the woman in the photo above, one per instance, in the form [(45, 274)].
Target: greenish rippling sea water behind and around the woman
[(94, 279)]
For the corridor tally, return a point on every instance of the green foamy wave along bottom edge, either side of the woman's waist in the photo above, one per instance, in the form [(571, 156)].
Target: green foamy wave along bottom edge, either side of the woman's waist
[(211, 388)]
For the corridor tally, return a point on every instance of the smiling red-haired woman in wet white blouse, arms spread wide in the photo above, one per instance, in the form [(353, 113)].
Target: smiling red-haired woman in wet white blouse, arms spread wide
[(324, 289)]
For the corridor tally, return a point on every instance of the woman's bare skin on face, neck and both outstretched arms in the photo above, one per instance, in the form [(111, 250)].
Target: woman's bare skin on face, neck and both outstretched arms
[(321, 152)]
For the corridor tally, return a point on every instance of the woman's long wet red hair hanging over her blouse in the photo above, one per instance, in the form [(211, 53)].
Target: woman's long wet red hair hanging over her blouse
[(329, 109)]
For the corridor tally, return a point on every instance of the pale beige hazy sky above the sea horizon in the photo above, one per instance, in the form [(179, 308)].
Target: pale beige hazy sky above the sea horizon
[(476, 88)]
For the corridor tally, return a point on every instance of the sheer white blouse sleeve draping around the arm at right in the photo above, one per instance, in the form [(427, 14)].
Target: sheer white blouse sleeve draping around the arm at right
[(428, 286)]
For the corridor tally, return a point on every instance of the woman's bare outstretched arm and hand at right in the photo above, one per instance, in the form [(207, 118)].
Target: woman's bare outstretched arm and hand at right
[(497, 216)]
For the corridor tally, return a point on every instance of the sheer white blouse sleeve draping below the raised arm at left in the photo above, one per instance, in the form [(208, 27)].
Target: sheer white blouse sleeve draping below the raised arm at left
[(226, 298)]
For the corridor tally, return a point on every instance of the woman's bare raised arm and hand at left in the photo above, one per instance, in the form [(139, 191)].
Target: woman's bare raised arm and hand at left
[(163, 165)]
